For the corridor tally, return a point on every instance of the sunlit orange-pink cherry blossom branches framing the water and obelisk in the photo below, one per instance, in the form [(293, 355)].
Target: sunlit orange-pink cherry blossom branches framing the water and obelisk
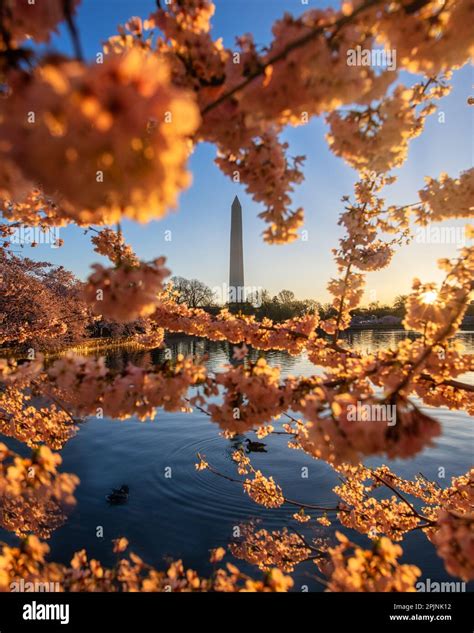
[(94, 143)]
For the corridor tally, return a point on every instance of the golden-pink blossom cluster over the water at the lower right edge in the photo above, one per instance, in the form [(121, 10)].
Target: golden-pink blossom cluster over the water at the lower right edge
[(446, 517)]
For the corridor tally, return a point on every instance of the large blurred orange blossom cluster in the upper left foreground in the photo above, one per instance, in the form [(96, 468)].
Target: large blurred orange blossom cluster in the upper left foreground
[(95, 122)]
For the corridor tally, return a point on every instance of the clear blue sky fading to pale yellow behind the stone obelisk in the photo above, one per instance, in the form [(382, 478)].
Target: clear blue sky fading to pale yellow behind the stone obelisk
[(201, 226)]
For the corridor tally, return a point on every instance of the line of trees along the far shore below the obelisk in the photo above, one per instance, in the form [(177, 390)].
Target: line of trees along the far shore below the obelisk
[(42, 305)]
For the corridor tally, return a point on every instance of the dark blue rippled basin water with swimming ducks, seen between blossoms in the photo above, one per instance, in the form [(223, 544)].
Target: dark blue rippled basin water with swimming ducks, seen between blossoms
[(191, 512)]
